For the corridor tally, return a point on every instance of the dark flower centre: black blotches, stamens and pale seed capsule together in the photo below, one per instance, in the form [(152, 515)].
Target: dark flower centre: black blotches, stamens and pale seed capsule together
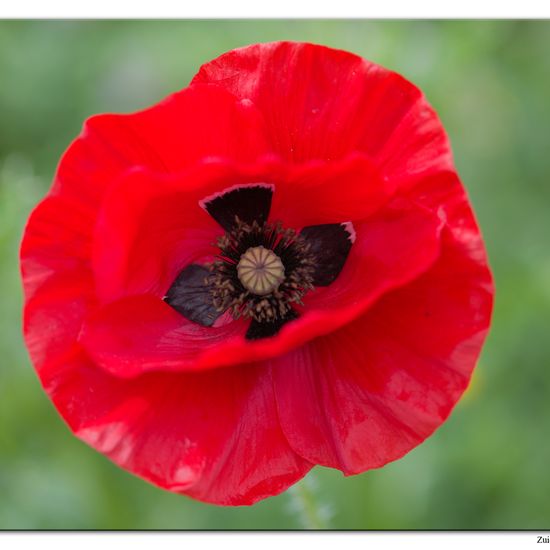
[(262, 270)]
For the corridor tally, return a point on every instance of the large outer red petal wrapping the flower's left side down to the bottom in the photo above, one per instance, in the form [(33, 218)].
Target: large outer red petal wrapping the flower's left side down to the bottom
[(187, 444)]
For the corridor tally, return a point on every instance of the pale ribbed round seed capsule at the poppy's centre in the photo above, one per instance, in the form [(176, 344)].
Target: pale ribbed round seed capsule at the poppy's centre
[(260, 270)]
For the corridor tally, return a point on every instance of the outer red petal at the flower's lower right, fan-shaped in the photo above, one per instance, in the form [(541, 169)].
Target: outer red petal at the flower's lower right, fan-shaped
[(370, 392)]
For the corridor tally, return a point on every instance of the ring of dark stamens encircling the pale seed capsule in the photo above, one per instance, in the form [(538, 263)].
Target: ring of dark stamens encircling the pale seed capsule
[(229, 294)]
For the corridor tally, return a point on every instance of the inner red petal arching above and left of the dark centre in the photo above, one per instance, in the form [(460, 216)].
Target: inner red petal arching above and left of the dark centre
[(150, 225)]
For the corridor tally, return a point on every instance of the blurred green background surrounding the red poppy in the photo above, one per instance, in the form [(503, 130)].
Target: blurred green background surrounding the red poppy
[(488, 467)]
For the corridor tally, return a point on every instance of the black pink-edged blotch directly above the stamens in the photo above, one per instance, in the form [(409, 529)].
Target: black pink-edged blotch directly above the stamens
[(249, 203)]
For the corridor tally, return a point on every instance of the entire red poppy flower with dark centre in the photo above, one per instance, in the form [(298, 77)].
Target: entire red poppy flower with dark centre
[(274, 268)]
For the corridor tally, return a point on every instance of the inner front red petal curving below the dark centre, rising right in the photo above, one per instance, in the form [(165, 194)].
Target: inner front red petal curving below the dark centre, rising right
[(138, 334)]
